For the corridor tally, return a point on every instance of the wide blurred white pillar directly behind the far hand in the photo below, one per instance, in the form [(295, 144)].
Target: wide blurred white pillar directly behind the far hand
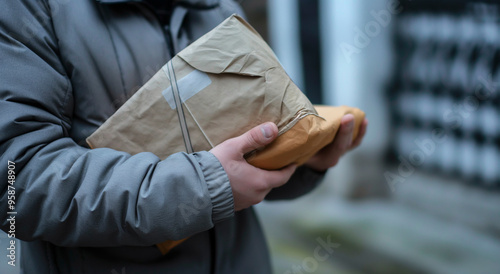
[(356, 68)]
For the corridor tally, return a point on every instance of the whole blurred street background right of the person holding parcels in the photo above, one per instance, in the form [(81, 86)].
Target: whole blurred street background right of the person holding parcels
[(422, 193)]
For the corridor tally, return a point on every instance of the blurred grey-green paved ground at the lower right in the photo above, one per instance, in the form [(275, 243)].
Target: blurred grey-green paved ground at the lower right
[(374, 237)]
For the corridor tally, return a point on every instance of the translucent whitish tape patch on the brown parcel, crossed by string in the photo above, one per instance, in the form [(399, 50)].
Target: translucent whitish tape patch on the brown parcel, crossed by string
[(188, 86)]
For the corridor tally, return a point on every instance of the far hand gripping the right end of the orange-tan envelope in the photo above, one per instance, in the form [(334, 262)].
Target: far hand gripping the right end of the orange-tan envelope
[(329, 155)]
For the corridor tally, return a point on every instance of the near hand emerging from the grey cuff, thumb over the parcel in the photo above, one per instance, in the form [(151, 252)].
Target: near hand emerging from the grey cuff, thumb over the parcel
[(250, 184)]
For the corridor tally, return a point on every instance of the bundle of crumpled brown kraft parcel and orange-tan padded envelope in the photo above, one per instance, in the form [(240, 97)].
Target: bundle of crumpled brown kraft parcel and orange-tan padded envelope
[(229, 81)]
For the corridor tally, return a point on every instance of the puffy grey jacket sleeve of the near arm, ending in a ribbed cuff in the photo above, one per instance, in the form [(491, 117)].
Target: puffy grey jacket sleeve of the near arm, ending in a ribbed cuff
[(73, 196)]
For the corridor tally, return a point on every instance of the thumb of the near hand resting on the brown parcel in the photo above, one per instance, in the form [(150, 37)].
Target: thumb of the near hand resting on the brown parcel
[(257, 137)]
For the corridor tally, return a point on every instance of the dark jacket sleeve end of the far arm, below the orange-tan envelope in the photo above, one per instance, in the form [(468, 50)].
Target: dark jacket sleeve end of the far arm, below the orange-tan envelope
[(303, 181)]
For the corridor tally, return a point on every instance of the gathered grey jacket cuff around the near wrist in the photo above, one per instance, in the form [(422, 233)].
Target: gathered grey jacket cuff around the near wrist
[(218, 185)]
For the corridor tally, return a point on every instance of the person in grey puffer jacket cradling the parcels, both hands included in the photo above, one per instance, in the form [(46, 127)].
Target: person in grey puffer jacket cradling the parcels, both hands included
[(67, 66)]
